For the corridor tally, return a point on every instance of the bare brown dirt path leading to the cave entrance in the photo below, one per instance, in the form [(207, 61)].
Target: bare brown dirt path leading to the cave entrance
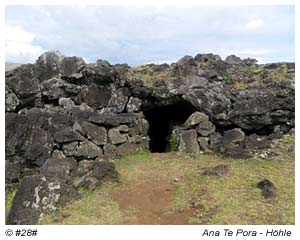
[(152, 200)]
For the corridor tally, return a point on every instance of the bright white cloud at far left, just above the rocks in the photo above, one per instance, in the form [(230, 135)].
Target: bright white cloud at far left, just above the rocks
[(19, 46)]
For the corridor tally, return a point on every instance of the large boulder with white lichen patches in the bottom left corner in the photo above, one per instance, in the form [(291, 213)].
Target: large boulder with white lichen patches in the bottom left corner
[(36, 195)]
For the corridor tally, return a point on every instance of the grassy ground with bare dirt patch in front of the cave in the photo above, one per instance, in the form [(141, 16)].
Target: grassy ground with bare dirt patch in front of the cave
[(167, 188)]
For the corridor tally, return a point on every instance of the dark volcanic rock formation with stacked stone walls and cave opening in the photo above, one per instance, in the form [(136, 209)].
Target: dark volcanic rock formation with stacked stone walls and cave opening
[(66, 120)]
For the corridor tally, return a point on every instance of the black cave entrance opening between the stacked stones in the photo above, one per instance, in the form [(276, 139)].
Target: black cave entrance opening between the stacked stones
[(162, 119)]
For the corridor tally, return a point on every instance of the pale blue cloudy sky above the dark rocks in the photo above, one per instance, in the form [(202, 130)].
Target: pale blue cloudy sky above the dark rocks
[(150, 34)]
